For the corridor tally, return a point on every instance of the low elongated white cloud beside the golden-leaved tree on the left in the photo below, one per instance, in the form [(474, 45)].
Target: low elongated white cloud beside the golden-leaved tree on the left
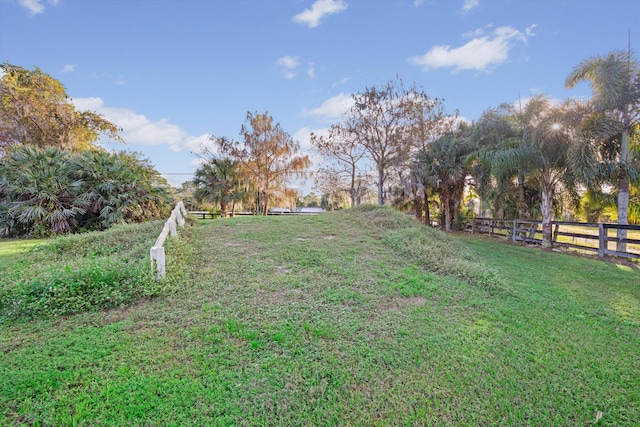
[(137, 129)]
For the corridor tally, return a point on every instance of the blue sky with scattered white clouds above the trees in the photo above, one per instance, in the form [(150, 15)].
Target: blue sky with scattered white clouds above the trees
[(171, 72)]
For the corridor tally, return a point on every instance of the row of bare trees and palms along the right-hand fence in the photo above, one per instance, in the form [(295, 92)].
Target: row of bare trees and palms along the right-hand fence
[(529, 160)]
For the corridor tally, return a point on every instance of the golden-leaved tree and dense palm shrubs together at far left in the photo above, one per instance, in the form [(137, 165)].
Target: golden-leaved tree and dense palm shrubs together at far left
[(53, 177)]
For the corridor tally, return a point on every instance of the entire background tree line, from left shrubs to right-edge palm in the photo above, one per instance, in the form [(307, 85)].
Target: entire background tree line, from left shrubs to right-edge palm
[(531, 159)]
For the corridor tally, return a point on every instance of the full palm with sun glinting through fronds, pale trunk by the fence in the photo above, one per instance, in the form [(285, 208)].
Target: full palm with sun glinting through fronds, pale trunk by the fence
[(547, 147)]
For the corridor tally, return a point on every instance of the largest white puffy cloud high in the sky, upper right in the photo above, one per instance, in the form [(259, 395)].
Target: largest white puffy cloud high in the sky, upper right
[(478, 54)]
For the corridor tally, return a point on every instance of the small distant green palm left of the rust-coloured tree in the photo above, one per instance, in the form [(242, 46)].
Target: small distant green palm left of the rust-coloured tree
[(218, 182)]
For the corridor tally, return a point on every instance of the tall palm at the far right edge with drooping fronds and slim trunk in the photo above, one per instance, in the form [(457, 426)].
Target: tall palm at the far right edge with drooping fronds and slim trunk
[(615, 81)]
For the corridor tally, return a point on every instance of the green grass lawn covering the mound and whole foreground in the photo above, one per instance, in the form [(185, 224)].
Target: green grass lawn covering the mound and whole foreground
[(350, 318)]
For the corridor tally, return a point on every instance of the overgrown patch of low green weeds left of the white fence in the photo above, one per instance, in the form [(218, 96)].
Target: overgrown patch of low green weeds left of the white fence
[(78, 273)]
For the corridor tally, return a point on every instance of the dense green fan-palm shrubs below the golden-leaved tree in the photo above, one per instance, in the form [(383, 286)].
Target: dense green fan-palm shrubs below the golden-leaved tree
[(46, 191)]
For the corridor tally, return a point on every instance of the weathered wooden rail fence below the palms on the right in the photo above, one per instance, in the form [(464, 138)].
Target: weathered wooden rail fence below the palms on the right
[(595, 237)]
